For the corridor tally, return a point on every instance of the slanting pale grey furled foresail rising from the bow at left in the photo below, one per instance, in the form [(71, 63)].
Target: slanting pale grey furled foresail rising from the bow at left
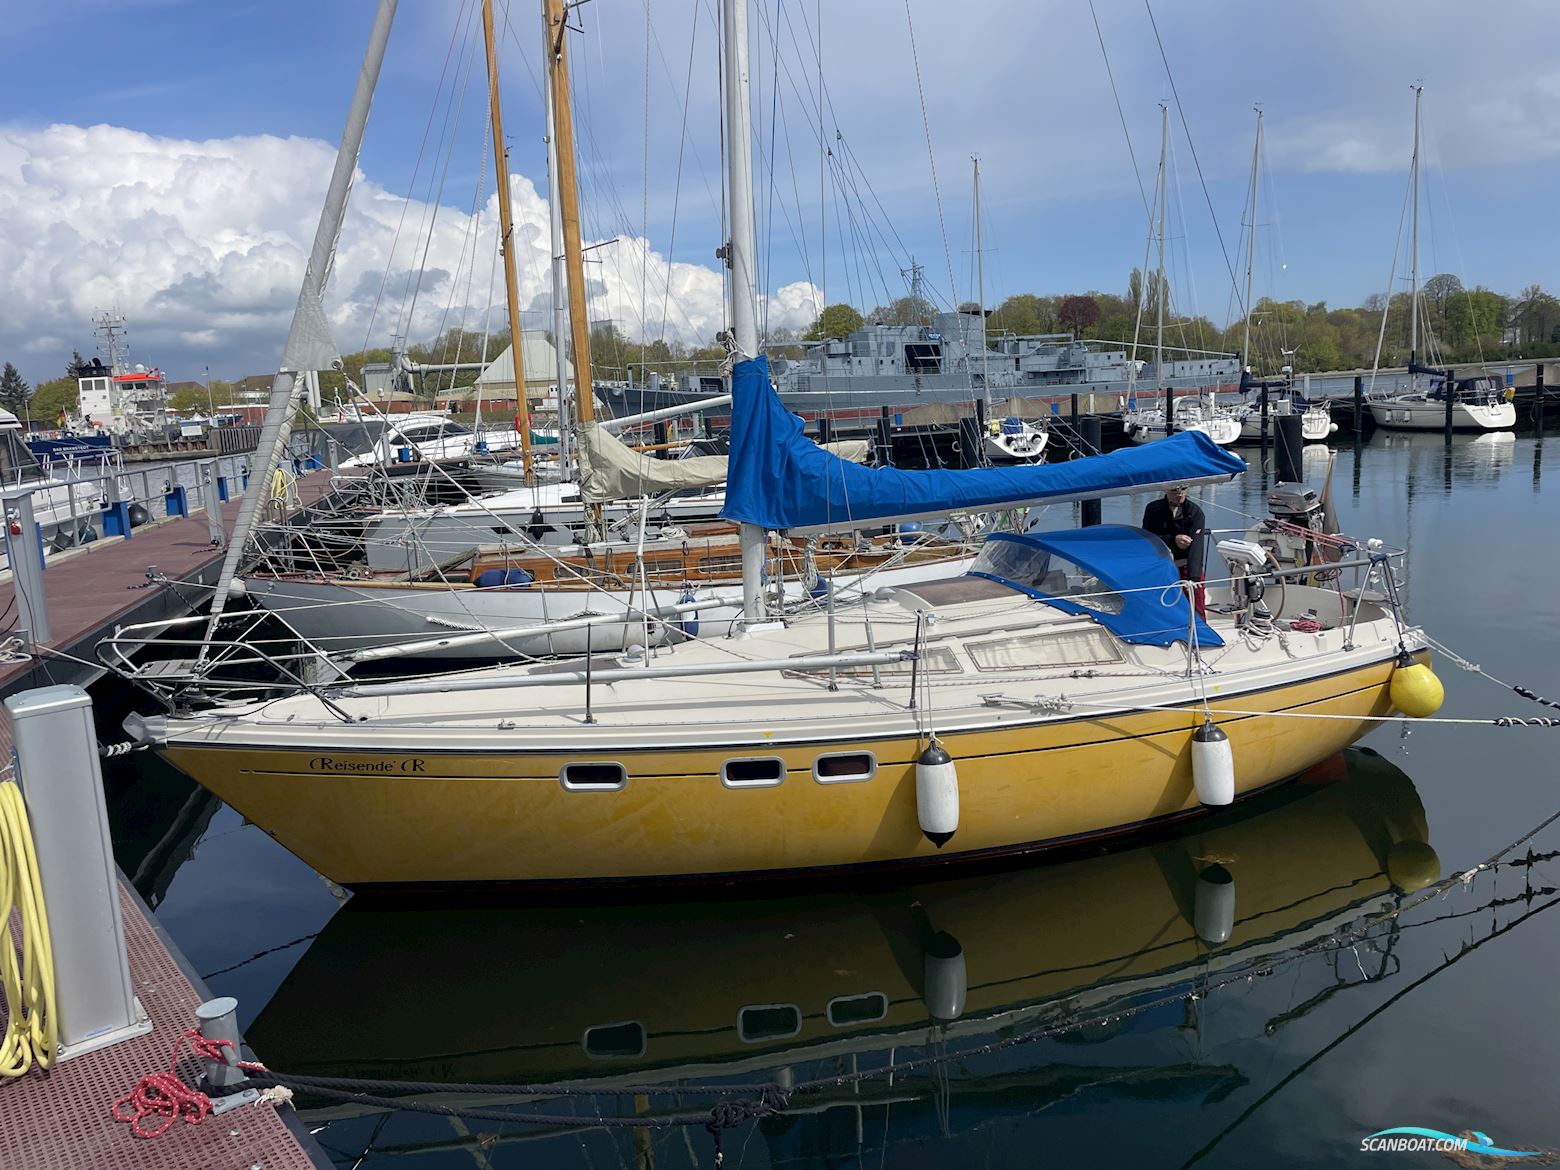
[(310, 344)]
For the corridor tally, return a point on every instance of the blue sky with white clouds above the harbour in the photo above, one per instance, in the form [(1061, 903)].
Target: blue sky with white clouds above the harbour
[(168, 160)]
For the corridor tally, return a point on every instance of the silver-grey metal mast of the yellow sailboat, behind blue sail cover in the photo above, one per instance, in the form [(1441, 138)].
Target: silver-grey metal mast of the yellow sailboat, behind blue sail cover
[(740, 257)]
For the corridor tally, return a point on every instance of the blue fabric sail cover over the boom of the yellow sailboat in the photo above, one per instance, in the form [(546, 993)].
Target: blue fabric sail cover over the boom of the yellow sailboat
[(781, 480)]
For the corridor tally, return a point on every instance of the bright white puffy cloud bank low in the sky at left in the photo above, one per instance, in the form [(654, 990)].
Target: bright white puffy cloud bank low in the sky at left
[(202, 246)]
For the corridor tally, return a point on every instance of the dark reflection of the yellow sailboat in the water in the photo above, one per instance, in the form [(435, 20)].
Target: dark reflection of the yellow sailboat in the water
[(636, 994)]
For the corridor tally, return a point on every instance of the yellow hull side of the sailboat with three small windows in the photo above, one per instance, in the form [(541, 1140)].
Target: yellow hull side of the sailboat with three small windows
[(369, 818)]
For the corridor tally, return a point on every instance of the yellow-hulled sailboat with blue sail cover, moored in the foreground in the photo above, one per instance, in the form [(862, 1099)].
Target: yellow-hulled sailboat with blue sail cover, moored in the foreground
[(1063, 690)]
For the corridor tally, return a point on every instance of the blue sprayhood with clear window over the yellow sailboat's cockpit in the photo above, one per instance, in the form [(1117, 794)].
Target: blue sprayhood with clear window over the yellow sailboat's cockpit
[(1136, 595)]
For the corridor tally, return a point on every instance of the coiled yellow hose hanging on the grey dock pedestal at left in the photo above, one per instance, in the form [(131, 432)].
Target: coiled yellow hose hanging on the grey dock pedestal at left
[(29, 985)]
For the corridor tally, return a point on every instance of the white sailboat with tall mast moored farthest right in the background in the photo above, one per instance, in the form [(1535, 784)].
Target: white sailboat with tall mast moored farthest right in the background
[(1477, 403)]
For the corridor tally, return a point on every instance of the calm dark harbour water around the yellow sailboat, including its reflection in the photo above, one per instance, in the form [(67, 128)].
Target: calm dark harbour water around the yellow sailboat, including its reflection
[(1118, 1009)]
